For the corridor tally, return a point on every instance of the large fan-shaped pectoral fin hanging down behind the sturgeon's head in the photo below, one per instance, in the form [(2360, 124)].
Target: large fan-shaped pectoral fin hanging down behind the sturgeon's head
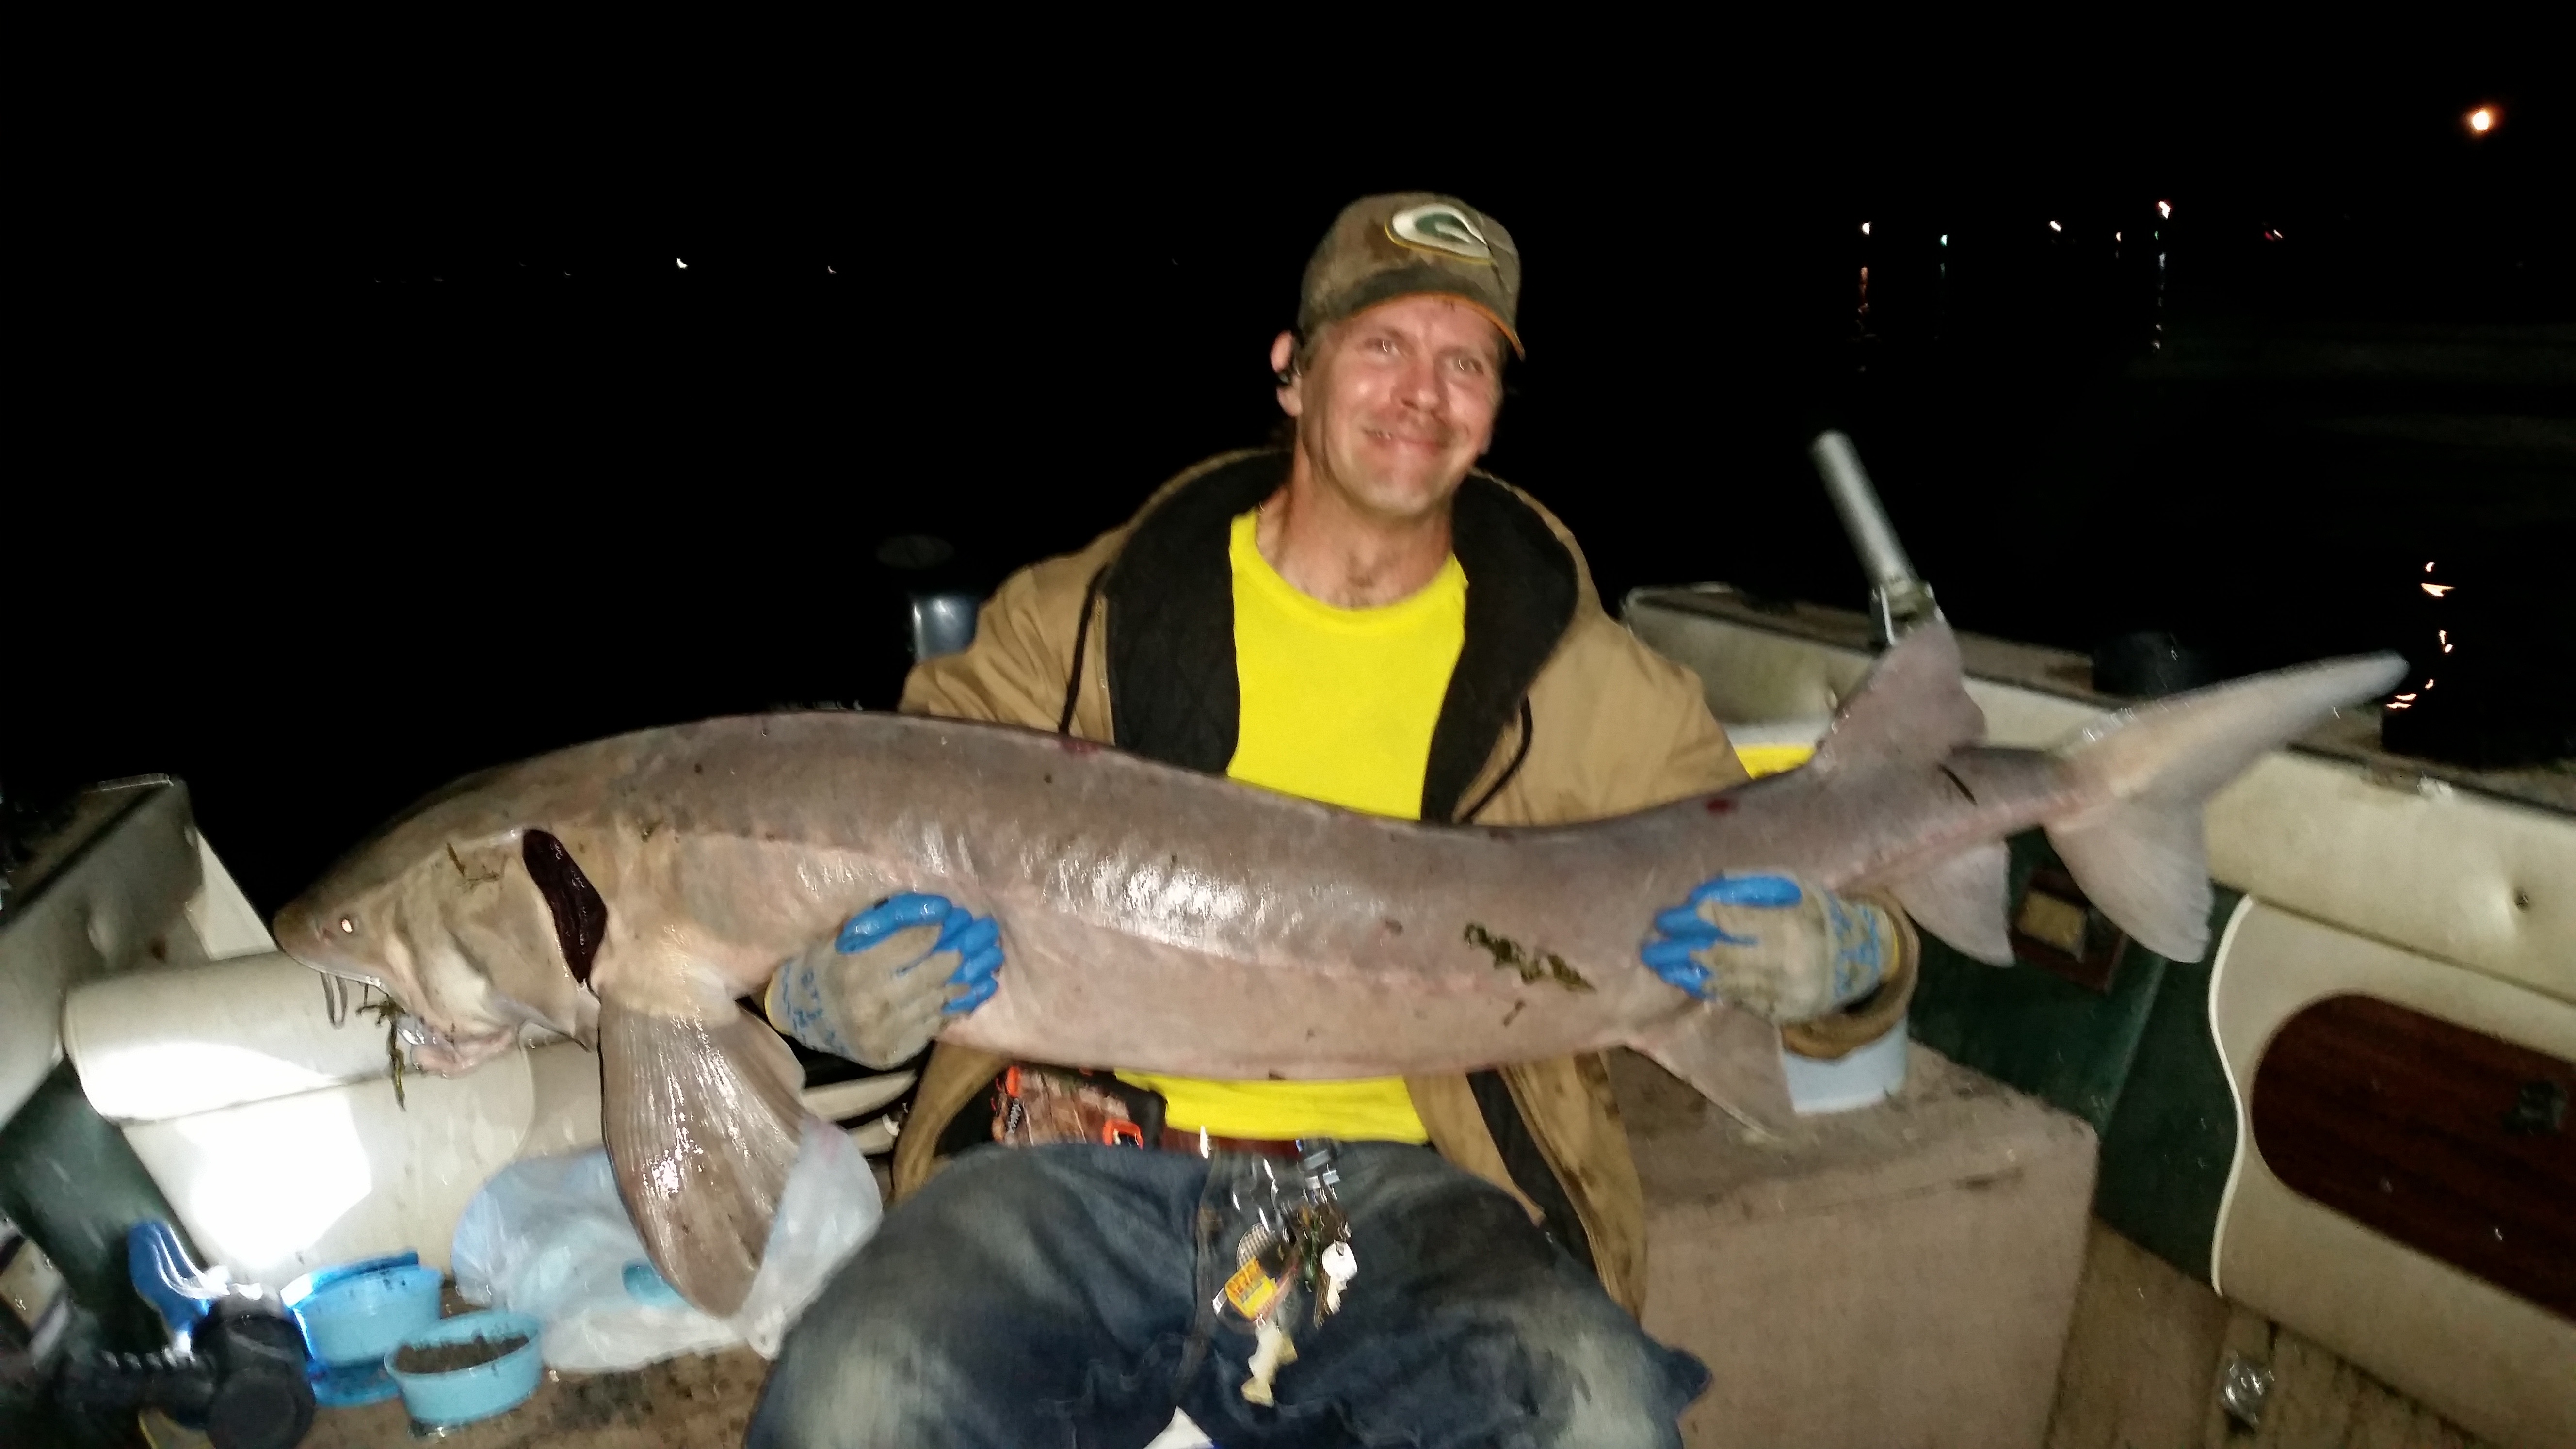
[(702, 1125)]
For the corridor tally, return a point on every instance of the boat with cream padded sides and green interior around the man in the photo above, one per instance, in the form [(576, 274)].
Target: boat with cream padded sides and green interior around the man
[(2098, 1198)]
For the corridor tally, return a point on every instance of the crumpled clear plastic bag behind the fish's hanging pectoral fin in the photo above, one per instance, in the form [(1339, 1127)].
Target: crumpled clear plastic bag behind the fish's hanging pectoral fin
[(550, 1239)]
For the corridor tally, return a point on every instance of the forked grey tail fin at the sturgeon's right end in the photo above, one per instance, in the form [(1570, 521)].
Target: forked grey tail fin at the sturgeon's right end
[(2139, 852)]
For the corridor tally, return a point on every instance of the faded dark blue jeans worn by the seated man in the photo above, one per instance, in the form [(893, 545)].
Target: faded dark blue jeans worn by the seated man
[(1039, 1298)]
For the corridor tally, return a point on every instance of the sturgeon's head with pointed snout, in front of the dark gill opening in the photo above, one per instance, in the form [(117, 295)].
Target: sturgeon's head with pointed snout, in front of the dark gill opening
[(439, 914)]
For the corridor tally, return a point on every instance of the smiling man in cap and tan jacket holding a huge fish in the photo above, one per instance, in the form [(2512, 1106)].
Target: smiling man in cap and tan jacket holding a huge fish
[(1369, 623)]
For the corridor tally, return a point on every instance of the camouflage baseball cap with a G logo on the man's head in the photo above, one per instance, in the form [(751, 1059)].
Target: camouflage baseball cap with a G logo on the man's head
[(1413, 244)]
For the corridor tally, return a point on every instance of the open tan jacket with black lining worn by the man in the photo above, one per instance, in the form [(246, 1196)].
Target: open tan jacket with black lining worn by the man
[(1606, 726)]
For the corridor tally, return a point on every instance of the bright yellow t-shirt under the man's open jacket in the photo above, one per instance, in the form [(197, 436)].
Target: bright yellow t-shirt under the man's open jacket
[(1338, 705)]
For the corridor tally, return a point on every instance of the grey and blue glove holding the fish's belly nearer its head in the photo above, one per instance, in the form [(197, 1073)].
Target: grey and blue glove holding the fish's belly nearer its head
[(887, 981)]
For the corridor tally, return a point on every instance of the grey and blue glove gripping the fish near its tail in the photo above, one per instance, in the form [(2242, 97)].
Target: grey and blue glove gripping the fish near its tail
[(1771, 945)]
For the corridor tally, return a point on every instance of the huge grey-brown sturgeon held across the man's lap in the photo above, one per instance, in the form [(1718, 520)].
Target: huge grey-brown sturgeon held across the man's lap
[(630, 891)]
